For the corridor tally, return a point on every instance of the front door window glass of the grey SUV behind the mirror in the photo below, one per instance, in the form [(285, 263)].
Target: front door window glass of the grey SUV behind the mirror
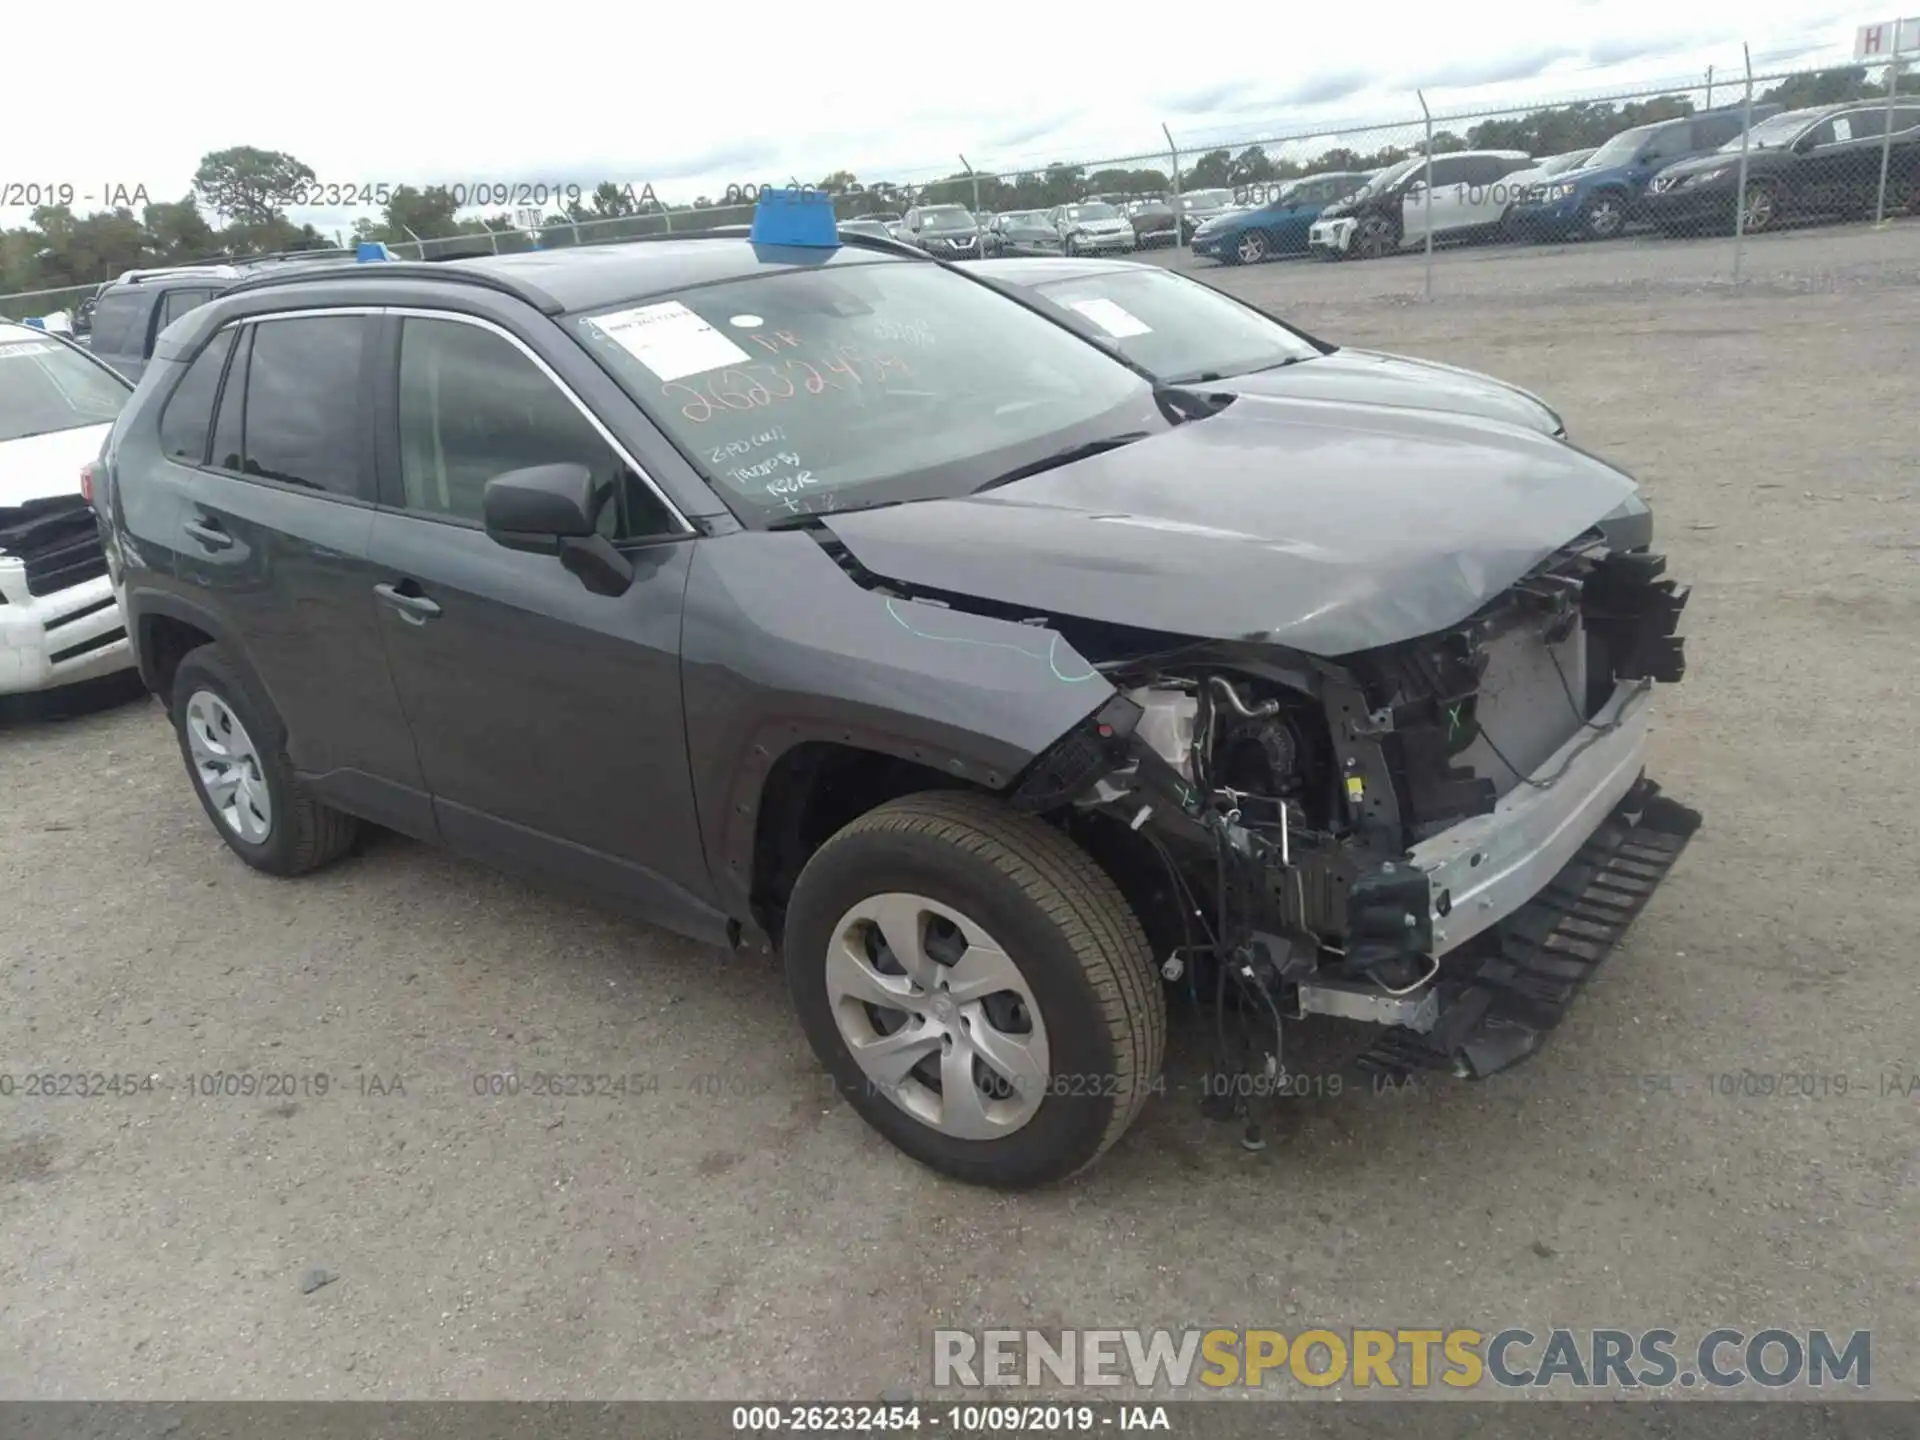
[(473, 406)]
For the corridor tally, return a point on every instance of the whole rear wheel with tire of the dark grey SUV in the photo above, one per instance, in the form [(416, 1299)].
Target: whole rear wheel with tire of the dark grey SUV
[(235, 752)]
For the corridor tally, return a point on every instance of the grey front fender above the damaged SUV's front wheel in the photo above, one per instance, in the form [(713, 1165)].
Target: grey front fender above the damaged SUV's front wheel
[(782, 648)]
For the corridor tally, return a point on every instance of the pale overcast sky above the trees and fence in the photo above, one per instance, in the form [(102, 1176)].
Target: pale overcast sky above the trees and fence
[(702, 97)]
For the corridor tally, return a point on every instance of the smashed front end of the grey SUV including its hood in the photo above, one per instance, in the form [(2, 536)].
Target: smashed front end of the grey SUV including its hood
[(1418, 796)]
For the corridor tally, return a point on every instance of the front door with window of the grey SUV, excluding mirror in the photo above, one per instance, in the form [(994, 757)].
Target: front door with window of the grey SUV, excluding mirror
[(548, 717)]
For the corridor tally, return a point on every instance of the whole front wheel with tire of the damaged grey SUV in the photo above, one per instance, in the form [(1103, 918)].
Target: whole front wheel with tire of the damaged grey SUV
[(978, 988)]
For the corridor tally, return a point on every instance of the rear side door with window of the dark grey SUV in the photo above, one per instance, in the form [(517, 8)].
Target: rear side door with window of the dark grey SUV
[(272, 510)]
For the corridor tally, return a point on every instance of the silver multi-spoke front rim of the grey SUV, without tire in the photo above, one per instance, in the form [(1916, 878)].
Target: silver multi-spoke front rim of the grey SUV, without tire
[(938, 1017)]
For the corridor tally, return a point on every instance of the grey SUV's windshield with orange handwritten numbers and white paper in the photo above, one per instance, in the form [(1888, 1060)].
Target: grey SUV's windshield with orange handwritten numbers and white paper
[(805, 393)]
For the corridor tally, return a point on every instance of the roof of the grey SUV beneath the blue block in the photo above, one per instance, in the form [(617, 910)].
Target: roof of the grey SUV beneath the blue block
[(590, 277)]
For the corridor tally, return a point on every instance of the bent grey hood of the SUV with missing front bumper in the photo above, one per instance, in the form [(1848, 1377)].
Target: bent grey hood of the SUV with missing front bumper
[(1324, 527)]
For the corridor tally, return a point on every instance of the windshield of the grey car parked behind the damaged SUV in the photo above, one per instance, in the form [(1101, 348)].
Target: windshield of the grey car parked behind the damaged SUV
[(1176, 329)]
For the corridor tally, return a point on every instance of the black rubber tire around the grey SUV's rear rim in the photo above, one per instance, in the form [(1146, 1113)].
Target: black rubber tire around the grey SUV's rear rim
[(302, 834)]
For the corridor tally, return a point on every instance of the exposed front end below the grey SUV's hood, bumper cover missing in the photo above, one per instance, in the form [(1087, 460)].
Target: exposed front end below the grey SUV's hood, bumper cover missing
[(1441, 836)]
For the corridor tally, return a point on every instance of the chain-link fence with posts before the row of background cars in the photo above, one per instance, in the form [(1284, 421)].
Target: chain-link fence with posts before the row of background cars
[(1723, 158)]
